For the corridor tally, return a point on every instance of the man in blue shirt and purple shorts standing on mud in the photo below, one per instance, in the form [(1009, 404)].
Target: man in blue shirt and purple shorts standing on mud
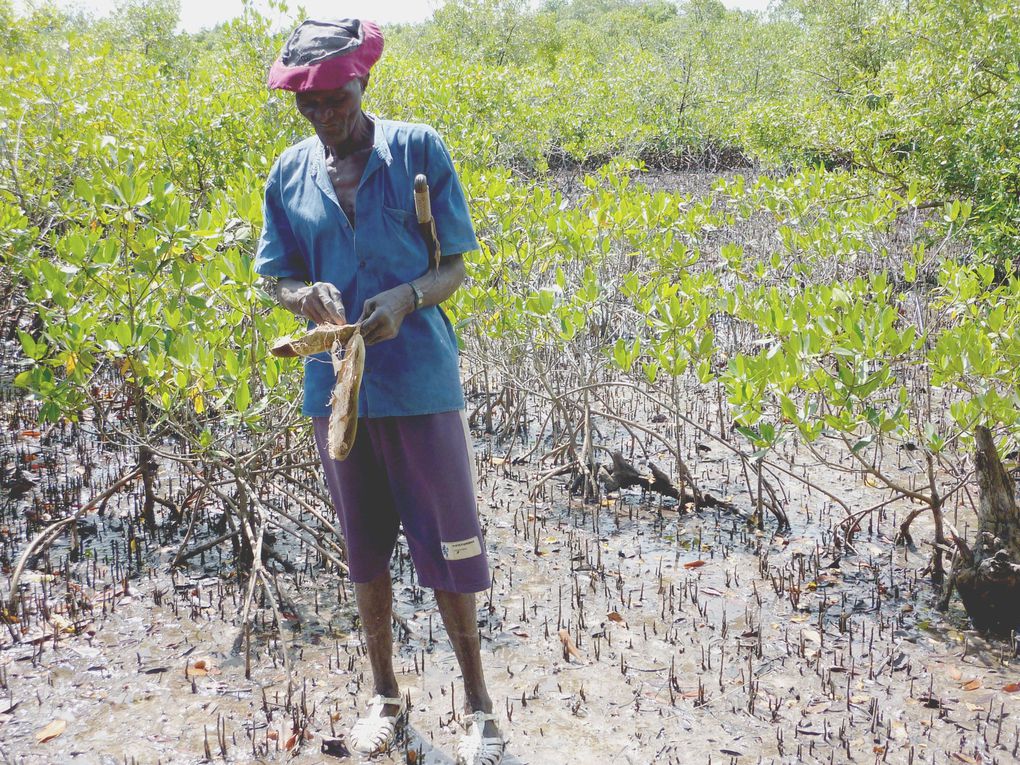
[(340, 240)]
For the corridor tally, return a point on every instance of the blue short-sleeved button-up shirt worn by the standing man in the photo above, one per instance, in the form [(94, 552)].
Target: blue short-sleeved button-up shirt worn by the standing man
[(307, 236)]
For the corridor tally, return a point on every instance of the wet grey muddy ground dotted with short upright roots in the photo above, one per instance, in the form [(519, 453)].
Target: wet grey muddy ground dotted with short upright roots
[(627, 631)]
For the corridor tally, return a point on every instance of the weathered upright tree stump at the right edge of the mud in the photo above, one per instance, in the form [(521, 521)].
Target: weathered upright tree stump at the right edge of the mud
[(988, 575)]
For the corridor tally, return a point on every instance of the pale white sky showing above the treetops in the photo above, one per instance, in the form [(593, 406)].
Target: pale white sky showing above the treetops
[(197, 15)]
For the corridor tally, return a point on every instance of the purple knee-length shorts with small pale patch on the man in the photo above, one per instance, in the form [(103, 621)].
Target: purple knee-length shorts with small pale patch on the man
[(418, 472)]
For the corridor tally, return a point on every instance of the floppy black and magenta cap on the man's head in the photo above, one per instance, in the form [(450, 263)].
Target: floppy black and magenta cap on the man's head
[(325, 56)]
